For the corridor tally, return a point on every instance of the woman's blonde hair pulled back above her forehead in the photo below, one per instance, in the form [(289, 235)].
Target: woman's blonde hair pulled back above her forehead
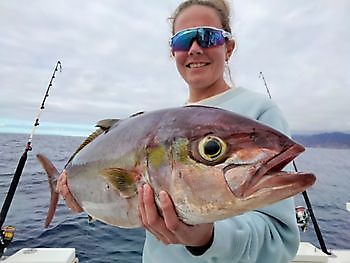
[(220, 6)]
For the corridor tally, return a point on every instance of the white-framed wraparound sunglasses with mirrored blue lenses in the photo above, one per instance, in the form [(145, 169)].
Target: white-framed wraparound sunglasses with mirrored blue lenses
[(205, 37)]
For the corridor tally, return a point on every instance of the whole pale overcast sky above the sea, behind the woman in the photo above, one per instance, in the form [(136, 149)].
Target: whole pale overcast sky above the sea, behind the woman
[(116, 61)]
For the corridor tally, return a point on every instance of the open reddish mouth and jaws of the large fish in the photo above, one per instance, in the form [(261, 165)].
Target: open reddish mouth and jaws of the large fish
[(267, 176)]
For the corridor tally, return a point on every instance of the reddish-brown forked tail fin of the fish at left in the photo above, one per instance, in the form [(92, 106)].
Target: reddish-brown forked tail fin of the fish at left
[(52, 175)]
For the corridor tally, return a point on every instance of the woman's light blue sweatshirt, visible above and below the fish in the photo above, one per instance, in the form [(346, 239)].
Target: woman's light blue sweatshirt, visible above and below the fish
[(267, 235)]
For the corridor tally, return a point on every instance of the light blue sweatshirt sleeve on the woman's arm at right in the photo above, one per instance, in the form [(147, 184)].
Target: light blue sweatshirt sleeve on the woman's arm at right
[(269, 234)]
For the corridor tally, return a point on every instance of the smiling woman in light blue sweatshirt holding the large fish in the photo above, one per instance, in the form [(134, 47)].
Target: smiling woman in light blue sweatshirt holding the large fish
[(202, 45)]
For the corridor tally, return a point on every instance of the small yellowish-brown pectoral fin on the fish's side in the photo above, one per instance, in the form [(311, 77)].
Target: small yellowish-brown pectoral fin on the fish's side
[(122, 180)]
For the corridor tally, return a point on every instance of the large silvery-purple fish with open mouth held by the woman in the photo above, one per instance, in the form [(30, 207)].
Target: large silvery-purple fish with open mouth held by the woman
[(213, 163)]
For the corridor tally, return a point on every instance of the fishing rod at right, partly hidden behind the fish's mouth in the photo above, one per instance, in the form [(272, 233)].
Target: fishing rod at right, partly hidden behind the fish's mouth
[(305, 195)]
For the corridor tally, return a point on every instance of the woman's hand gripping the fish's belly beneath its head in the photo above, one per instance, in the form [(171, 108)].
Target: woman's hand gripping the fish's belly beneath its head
[(168, 228)]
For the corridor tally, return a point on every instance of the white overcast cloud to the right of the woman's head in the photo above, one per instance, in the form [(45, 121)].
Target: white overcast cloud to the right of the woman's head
[(301, 48)]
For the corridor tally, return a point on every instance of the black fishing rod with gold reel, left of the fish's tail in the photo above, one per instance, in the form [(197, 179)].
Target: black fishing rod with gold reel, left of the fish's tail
[(6, 233)]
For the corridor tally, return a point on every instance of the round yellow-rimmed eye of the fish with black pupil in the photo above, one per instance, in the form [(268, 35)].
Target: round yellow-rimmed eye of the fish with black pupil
[(211, 148)]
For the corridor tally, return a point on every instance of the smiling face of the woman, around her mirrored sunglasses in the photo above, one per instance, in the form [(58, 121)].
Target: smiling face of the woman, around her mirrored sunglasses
[(201, 68)]
